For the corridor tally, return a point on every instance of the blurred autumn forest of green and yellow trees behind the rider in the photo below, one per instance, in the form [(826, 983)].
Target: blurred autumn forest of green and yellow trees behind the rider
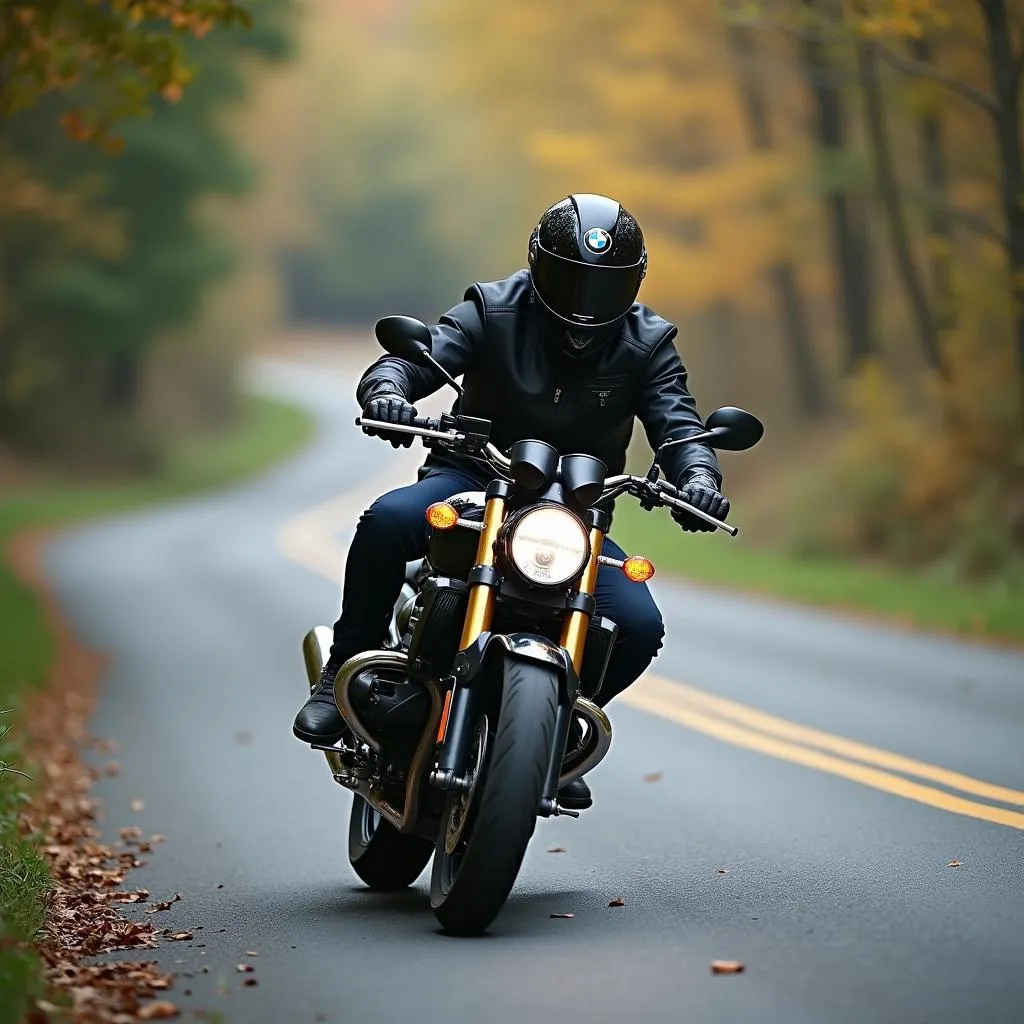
[(833, 194)]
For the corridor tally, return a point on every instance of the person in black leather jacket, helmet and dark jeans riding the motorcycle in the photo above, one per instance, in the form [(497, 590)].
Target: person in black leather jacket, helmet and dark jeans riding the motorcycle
[(561, 353)]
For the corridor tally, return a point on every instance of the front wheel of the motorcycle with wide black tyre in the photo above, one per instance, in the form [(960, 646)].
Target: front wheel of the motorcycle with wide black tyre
[(486, 831)]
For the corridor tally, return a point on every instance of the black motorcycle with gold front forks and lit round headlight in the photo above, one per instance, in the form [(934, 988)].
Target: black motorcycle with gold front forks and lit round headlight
[(480, 706)]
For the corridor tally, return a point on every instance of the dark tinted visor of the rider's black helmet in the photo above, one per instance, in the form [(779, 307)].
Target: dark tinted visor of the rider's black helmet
[(590, 295)]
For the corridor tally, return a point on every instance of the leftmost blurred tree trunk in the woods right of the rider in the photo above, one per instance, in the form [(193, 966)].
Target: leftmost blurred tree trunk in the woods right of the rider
[(783, 275)]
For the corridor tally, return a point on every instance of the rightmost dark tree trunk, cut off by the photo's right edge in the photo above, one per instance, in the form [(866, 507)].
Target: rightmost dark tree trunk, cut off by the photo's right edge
[(1007, 80)]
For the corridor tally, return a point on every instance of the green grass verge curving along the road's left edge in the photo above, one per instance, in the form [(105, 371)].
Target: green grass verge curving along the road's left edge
[(268, 432)]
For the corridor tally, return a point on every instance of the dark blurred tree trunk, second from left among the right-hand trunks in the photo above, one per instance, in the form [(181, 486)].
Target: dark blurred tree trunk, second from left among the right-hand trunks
[(846, 217)]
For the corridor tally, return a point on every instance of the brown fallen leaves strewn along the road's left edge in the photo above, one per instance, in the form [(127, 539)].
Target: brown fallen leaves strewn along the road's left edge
[(84, 914)]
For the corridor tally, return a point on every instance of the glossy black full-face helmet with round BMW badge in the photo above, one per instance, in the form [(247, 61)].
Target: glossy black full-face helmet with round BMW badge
[(587, 260)]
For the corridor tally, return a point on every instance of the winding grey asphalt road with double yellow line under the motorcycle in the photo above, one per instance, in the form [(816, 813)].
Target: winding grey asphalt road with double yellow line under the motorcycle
[(821, 866)]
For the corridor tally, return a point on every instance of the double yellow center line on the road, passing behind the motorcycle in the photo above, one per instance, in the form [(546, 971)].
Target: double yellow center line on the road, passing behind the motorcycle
[(310, 539)]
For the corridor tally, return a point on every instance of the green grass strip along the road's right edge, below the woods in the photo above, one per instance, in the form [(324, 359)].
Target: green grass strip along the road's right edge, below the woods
[(910, 600)]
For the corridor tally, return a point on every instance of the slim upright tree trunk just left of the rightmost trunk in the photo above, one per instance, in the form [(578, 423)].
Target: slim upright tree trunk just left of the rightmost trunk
[(940, 223)]
